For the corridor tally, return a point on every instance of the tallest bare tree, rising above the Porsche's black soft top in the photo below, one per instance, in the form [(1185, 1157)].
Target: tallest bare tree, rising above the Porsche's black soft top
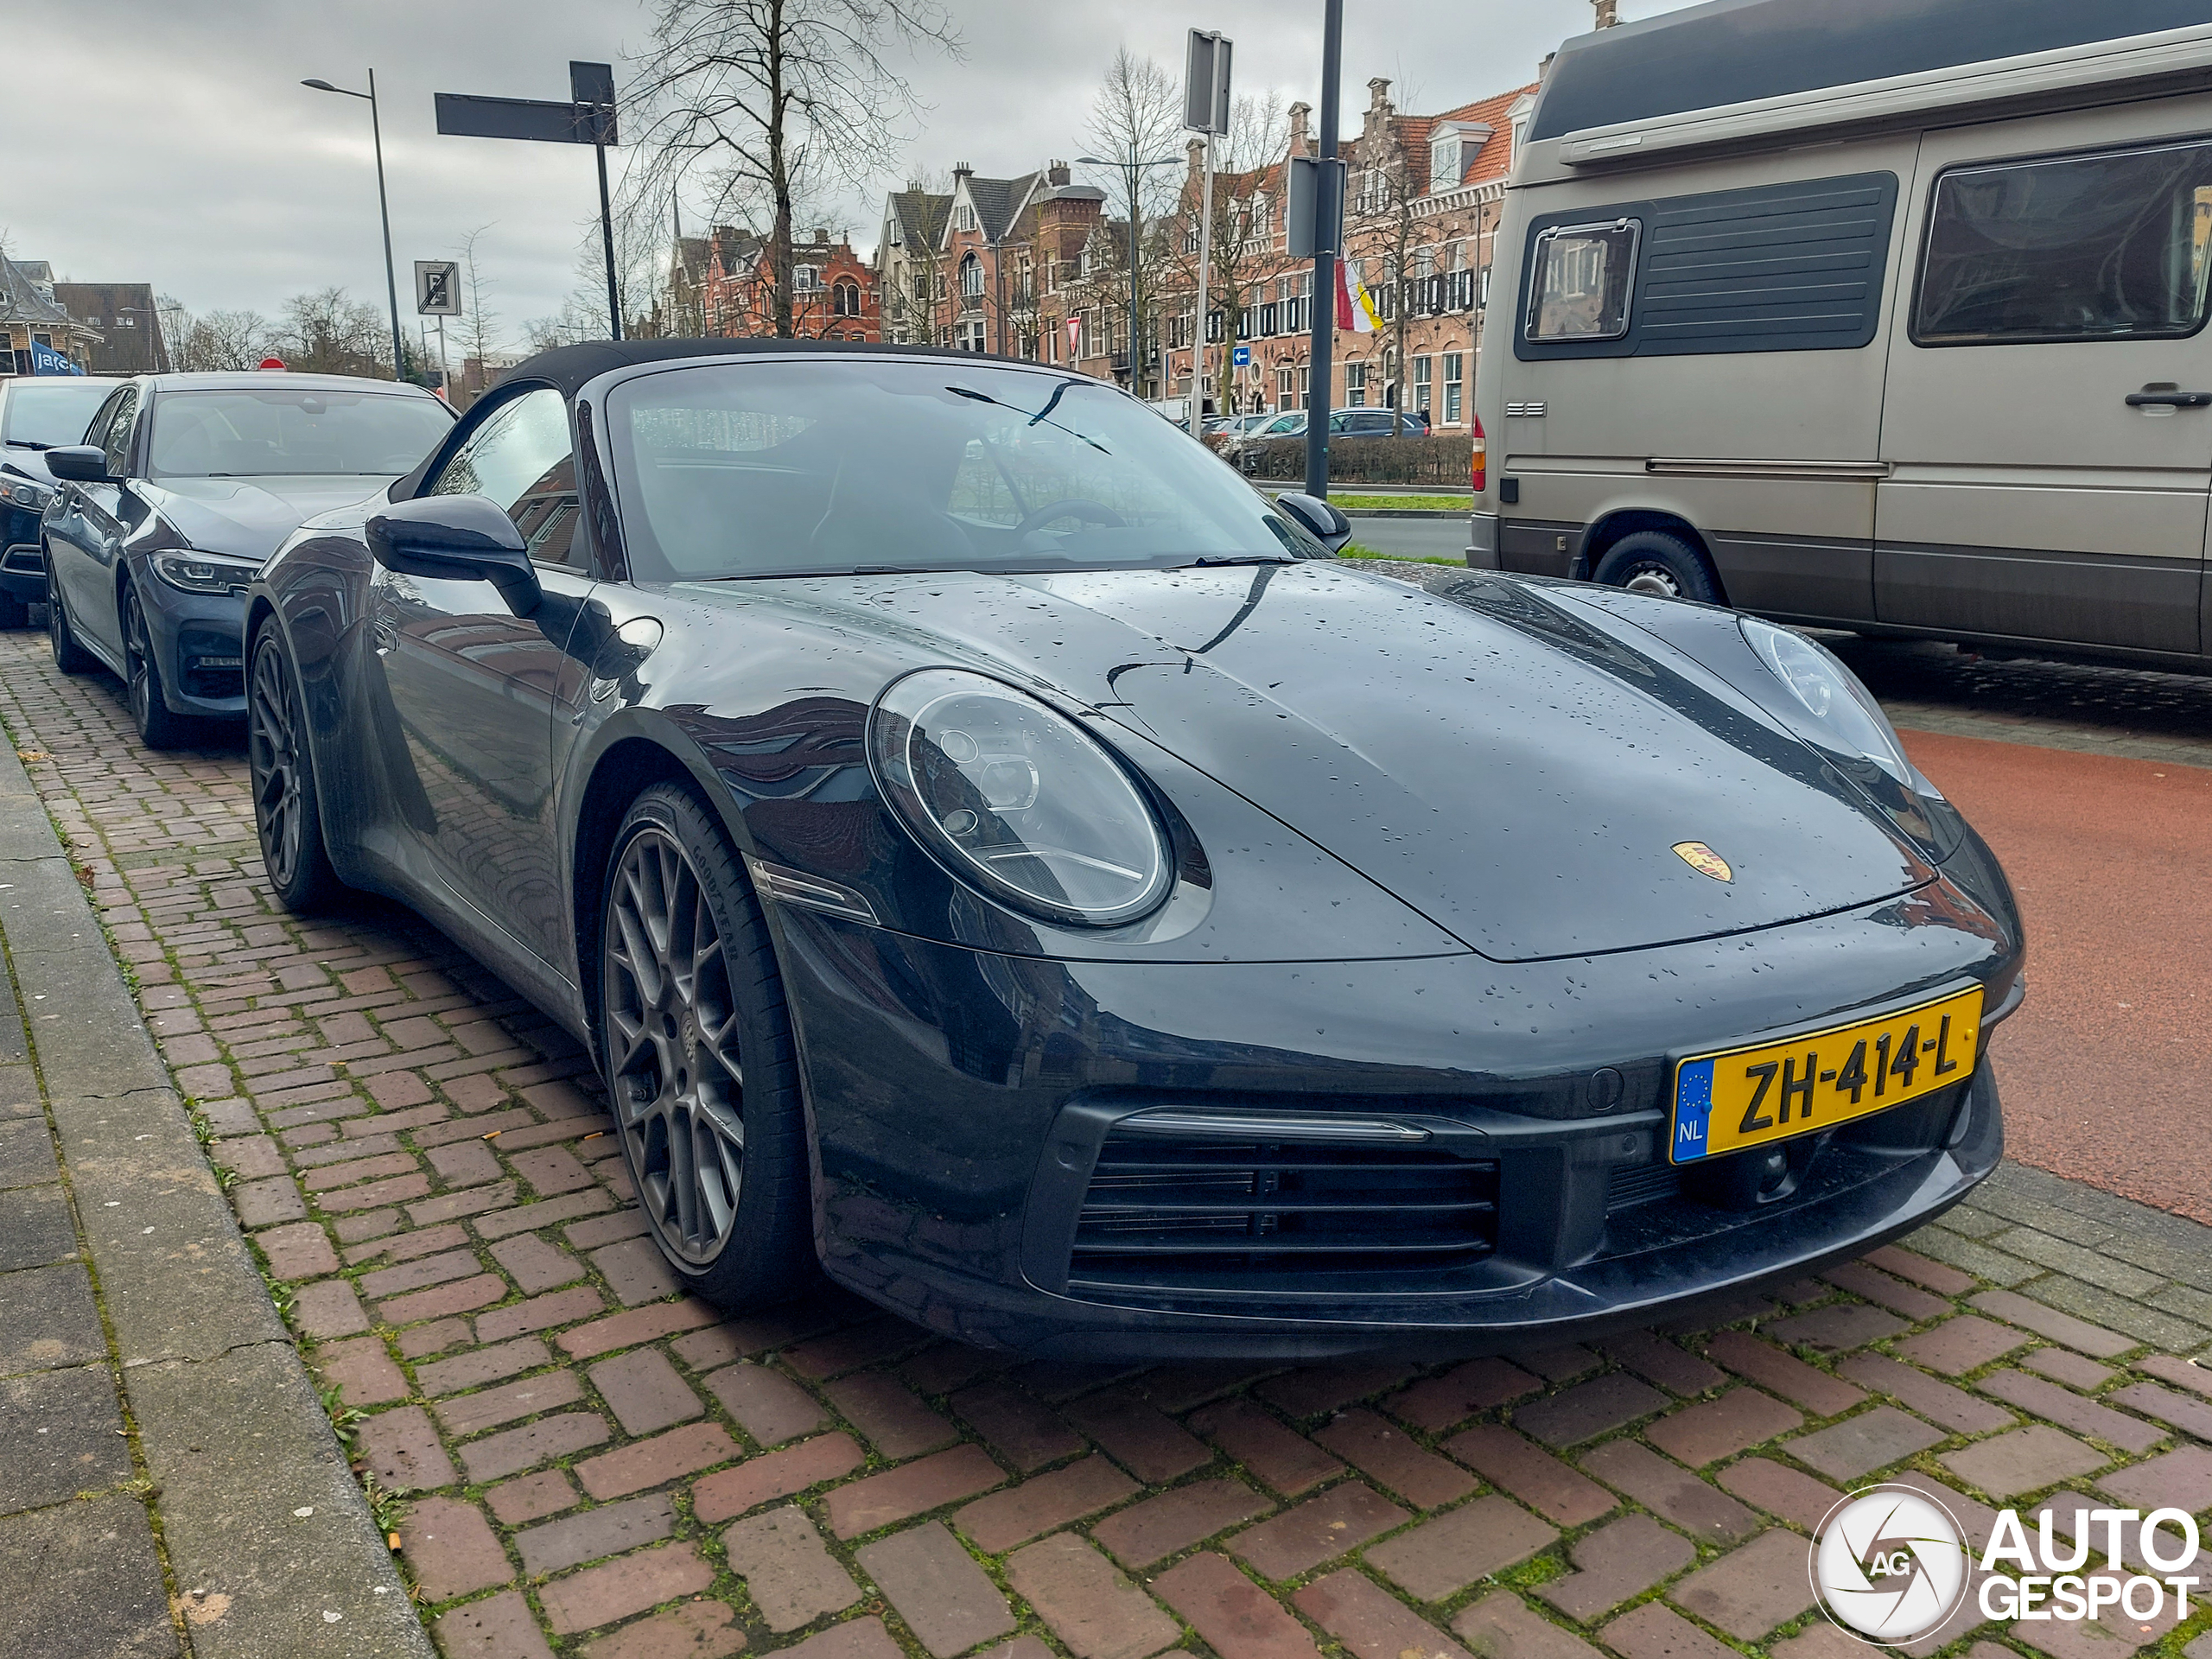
[(778, 101)]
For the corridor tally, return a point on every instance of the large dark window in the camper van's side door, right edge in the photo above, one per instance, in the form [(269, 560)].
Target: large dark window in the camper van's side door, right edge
[(2074, 249)]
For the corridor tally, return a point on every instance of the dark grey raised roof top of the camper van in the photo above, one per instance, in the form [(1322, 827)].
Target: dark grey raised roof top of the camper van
[(1733, 52)]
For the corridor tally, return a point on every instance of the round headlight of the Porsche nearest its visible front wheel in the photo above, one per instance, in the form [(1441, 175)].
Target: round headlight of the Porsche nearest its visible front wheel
[(1019, 802)]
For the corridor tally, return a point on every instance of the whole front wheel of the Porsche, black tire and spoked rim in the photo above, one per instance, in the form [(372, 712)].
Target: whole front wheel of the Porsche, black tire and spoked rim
[(700, 1063)]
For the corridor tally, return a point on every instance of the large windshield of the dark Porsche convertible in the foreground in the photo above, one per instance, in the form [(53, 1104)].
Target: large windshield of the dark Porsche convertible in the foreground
[(848, 466)]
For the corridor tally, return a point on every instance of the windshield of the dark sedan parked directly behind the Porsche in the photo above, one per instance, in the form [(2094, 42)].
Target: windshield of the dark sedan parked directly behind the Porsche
[(293, 432)]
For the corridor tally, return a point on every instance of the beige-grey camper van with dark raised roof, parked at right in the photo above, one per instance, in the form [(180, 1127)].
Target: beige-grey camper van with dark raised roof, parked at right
[(1879, 315)]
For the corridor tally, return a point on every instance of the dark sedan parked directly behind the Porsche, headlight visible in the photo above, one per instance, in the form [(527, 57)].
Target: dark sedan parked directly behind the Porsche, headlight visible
[(182, 486)]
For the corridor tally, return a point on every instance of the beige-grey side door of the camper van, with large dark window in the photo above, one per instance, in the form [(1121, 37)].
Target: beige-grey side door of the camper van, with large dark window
[(2049, 404)]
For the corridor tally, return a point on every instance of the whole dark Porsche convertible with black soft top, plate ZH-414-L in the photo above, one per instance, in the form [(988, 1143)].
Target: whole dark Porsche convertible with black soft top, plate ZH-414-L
[(1005, 859)]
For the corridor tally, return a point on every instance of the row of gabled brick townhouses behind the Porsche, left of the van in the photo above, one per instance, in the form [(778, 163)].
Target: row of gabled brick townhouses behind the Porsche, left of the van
[(1008, 267)]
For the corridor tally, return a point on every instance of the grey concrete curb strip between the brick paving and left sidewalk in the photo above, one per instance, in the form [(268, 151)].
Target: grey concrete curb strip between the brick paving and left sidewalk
[(253, 1494)]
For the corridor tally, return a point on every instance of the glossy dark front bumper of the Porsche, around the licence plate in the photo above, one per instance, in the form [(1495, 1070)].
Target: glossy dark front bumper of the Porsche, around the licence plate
[(974, 1125)]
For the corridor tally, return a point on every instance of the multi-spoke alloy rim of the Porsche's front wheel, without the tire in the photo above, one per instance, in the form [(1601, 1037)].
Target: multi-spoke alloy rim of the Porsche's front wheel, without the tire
[(674, 1047)]
